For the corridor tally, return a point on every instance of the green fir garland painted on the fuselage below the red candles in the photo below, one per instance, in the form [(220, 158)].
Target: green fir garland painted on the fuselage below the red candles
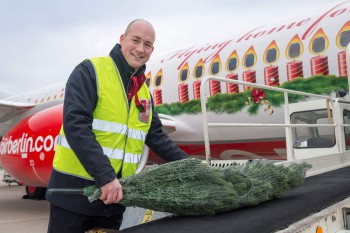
[(236, 102)]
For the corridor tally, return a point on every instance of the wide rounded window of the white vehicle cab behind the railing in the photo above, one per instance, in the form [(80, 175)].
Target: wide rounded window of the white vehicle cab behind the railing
[(313, 137)]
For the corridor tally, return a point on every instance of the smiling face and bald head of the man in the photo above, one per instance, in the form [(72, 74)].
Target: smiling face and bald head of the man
[(137, 44)]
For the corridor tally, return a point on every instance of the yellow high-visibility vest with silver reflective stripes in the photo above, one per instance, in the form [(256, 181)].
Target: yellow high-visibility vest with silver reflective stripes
[(120, 129)]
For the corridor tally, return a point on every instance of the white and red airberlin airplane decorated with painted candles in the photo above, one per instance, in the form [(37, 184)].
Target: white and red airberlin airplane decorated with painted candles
[(278, 54)]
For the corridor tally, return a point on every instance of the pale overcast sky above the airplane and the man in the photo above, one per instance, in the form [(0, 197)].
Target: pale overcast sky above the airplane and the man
[(43, 40)]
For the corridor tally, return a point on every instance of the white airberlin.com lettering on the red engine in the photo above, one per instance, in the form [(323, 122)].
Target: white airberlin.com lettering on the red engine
[(27, 144)]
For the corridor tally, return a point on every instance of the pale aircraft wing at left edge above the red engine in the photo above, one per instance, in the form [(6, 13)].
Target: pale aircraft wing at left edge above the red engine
[(9, 109)]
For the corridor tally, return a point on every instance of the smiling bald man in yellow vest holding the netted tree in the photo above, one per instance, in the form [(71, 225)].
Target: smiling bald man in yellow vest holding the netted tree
[(107, 118)]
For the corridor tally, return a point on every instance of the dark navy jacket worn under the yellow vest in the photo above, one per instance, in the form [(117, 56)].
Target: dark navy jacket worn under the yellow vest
[(79, 103)]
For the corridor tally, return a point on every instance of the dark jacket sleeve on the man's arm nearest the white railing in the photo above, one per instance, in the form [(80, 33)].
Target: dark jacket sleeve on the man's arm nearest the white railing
[(160, 143)]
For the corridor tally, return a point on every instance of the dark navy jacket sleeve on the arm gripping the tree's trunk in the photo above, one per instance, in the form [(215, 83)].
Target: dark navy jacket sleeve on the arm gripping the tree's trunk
[(79, 103)]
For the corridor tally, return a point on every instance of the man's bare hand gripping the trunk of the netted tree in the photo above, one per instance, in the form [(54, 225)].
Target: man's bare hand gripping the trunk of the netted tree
[(111, 192)]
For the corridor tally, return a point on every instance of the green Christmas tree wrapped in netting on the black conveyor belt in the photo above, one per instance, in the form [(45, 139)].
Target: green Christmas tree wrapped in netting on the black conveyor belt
[(190, 187)]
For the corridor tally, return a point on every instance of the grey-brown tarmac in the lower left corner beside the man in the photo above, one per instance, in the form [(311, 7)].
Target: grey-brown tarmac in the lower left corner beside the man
[(18, 215)]
